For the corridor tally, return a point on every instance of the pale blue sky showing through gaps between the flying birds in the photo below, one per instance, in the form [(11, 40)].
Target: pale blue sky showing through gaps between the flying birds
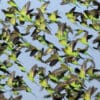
[(28, 62)]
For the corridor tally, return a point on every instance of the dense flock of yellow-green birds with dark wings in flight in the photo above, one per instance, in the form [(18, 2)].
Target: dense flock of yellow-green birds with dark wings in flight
[(69, 82)]
